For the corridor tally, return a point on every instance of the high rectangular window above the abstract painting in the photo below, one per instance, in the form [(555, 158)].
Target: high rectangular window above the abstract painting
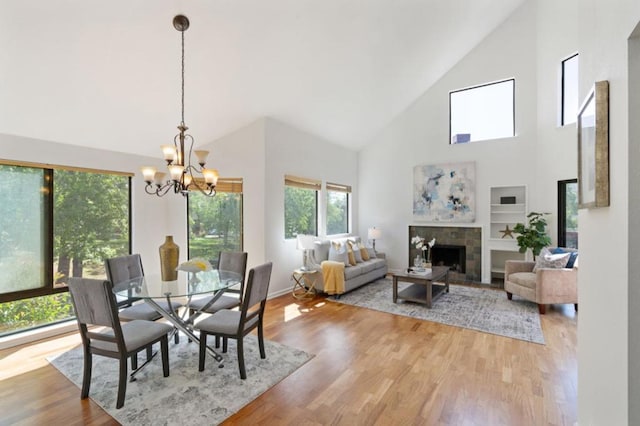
[(482, 112)]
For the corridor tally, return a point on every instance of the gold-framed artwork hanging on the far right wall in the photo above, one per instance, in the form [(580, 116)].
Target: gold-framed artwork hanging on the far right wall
[(593, 148)]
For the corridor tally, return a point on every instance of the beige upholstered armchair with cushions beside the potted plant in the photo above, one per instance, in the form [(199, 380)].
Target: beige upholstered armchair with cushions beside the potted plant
[(550, 279)]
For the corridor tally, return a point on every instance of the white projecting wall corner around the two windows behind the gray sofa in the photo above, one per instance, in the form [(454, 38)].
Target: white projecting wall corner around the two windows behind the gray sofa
[(262, 153)]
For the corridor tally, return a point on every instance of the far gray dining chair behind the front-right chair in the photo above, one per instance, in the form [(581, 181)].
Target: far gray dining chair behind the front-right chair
[(227, 261)]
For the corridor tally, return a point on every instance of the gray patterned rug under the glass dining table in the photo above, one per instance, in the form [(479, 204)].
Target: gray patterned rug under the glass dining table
[(187, 396)]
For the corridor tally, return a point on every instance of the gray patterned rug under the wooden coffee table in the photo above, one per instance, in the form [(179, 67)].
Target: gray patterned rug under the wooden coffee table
[(475, 308)]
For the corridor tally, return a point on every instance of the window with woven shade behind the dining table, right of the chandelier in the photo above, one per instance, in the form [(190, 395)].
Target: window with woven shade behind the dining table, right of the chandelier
[(215, 223)]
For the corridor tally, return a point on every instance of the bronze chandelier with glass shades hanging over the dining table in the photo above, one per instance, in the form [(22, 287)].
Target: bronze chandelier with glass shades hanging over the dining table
[(184, 175)]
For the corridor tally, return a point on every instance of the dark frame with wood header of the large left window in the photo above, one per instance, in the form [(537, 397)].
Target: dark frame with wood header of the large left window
[(50, 287)]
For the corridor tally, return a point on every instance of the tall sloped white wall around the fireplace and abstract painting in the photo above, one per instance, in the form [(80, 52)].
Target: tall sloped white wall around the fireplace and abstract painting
[(420, 136)]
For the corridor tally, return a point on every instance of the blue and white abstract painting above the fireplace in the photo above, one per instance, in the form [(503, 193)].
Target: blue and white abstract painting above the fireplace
[(444, 192)]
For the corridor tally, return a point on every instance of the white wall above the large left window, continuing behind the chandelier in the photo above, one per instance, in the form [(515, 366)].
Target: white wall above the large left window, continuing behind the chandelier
[(153, 217)]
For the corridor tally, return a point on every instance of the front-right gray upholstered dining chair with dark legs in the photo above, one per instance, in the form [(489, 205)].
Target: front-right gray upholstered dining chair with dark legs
[(230, 324)]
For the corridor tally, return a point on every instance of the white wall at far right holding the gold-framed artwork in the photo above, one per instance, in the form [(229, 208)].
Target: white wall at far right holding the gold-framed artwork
[(607, 268)]
